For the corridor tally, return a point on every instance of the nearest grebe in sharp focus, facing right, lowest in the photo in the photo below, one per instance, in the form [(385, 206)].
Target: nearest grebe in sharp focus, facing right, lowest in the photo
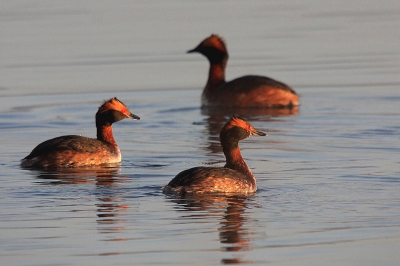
[(234, 177)]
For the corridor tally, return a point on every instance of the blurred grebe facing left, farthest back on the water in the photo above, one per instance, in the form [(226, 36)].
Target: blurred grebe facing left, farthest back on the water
[(246, 91)]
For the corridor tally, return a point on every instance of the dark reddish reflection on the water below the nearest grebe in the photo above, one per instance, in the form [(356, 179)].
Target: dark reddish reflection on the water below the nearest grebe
[(233, 234)]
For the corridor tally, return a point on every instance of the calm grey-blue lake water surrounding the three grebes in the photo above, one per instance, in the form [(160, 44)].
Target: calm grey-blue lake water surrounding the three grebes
[(328, 173)]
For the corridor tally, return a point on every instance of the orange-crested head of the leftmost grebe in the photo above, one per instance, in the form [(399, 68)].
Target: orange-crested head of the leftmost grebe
[(111, 111)]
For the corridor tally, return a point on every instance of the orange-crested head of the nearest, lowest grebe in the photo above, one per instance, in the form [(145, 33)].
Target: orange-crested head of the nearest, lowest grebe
[(237, 129)]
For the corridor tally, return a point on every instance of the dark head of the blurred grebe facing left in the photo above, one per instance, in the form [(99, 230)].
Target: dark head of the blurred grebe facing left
[(213, 48)]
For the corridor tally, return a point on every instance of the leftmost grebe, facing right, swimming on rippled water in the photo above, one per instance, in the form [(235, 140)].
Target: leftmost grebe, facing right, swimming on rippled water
[(77, 151)]
